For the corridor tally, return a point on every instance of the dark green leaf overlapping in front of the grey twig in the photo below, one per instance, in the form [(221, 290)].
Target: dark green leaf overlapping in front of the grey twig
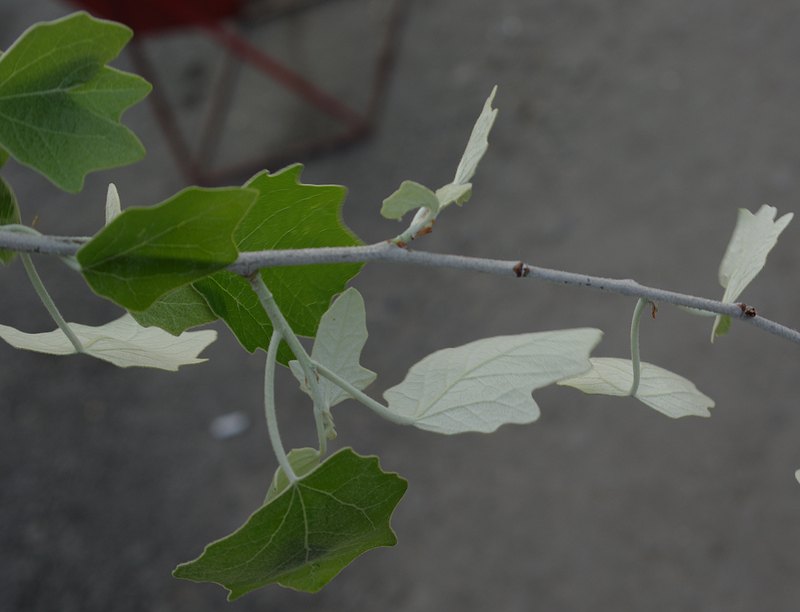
[(146, 252)]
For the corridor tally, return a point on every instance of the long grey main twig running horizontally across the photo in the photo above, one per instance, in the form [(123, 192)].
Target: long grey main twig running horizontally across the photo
[(384, 251)]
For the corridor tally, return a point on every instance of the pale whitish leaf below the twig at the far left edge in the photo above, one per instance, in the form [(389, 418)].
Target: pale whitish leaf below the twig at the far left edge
[(121, 342)]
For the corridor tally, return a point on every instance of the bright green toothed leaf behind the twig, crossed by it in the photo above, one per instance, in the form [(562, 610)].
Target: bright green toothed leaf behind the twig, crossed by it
[(288, 215)]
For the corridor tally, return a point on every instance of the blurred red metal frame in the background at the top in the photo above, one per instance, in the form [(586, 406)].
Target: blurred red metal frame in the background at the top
[(153, 16)]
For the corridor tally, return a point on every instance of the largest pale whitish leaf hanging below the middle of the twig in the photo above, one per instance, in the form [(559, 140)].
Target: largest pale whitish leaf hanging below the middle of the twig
[(487, 383)]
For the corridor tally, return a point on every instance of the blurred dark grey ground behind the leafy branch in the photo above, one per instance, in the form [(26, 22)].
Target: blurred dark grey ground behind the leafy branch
[(629, 134)]
